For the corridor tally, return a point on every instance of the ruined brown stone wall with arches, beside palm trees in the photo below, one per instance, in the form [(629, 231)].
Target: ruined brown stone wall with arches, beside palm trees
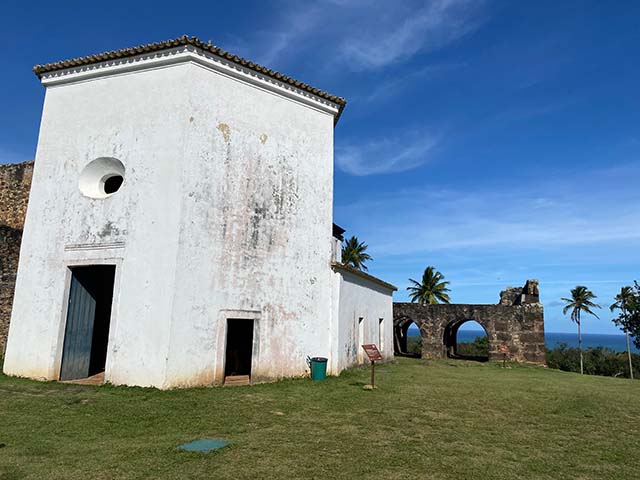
[(517, 322)]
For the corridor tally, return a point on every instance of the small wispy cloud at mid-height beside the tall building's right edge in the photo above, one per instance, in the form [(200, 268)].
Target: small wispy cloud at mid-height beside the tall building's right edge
[(386, 155)]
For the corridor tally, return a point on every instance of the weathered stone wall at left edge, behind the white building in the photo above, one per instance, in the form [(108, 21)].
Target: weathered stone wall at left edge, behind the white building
[(15, 183)]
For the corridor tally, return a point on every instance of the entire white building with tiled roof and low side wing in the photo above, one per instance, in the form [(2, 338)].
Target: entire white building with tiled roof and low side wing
[(179, 228)]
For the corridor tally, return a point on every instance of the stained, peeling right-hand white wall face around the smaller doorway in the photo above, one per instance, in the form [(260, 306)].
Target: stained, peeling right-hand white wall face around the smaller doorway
[(255, 235)]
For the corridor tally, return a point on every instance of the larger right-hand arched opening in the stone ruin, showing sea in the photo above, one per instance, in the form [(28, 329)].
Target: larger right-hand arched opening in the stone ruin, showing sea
[(467, 340)]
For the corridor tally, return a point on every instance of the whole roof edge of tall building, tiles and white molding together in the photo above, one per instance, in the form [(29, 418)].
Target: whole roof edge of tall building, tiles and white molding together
[(154, 55)]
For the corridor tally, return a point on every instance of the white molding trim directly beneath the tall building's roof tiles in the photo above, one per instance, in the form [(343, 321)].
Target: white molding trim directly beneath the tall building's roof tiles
[(187, 54)]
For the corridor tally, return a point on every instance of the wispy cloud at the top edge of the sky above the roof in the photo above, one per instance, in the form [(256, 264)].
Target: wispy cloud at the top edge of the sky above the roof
[(363, 35)]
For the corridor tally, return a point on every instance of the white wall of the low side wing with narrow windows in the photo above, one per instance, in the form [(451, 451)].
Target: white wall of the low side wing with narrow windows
[(365, 316)]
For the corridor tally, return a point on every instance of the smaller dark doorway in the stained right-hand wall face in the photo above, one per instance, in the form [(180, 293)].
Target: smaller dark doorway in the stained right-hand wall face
[(239, 352)]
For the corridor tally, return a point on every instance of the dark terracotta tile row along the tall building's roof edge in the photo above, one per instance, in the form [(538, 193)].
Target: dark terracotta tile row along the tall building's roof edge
[(40, 70)]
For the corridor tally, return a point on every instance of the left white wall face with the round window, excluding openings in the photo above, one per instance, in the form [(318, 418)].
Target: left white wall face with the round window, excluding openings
[(139, 119)]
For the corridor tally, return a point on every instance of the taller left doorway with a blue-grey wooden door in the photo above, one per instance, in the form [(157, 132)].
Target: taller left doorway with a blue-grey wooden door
[(86, 336)]
